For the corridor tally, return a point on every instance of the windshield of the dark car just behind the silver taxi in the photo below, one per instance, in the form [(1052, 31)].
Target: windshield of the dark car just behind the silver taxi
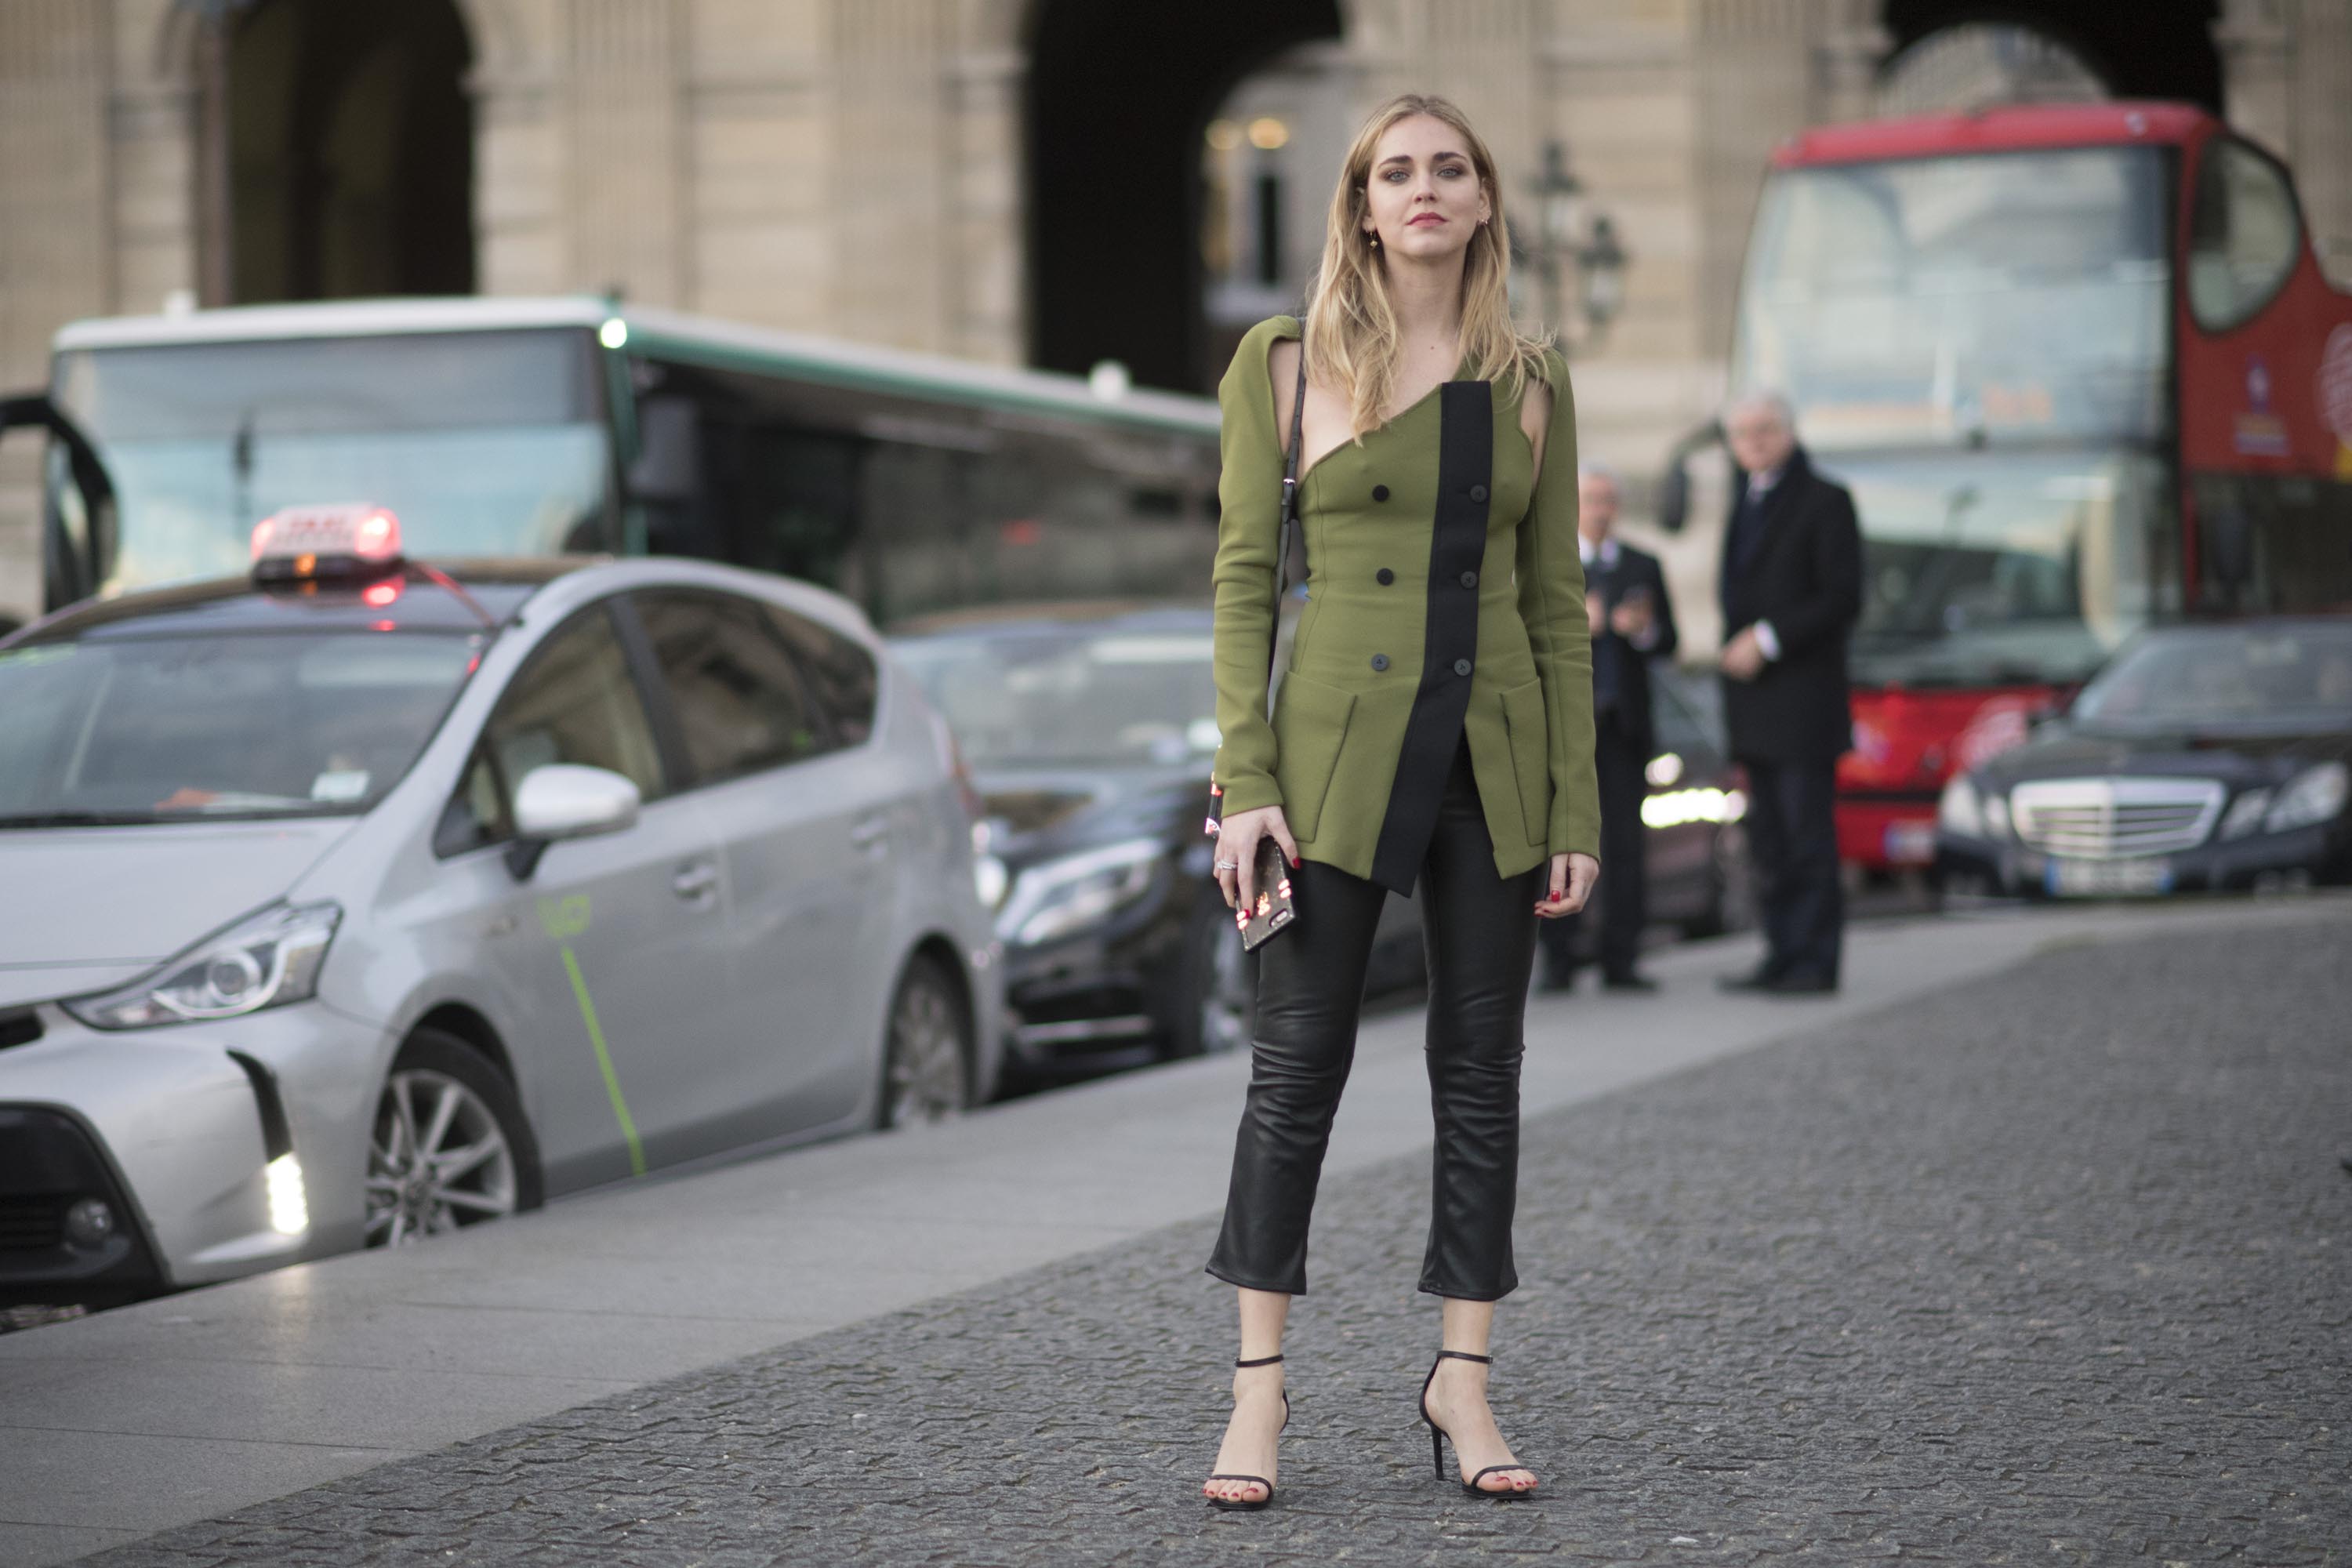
[(1071, 699)]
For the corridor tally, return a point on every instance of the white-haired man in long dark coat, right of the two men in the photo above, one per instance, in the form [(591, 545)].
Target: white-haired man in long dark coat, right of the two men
[(1793, 591)]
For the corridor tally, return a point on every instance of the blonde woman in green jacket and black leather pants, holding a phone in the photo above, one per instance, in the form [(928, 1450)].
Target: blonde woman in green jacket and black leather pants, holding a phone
[(1436, 723)]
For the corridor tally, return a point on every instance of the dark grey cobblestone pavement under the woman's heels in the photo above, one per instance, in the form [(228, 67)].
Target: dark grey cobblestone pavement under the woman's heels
[(2047, 1268)]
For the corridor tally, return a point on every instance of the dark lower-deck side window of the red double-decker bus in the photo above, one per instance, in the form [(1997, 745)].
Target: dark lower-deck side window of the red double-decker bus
[(2273, 544)]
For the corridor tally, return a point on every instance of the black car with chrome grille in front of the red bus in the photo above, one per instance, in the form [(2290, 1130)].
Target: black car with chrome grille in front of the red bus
[(2198, 758)]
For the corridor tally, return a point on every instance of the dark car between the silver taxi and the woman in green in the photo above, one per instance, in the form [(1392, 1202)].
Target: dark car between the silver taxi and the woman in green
[(1090, 732)]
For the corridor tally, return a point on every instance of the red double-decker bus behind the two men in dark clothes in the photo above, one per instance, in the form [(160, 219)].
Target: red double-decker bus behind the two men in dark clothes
[(2083, 373)]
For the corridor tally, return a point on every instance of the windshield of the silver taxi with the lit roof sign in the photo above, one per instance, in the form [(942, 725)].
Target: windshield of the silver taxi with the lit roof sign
[(156, 730)]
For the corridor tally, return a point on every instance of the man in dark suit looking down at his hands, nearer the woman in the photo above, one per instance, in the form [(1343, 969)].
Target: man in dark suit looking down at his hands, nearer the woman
[(1633, 622)]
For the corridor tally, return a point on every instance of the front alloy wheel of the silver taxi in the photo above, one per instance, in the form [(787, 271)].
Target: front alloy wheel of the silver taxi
[(436, 1160)]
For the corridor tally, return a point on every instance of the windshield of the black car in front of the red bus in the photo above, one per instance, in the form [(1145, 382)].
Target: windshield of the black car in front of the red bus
[(2224, 678)]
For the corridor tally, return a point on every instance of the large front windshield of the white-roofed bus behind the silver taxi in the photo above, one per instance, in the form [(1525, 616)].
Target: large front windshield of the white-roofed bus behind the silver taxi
[(483, 443)]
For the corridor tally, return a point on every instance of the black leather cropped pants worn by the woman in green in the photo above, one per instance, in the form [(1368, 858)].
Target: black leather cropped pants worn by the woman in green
[(1481, 939)]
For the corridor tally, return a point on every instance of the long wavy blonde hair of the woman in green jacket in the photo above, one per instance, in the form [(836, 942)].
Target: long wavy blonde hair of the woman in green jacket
[(1351, 330)]
